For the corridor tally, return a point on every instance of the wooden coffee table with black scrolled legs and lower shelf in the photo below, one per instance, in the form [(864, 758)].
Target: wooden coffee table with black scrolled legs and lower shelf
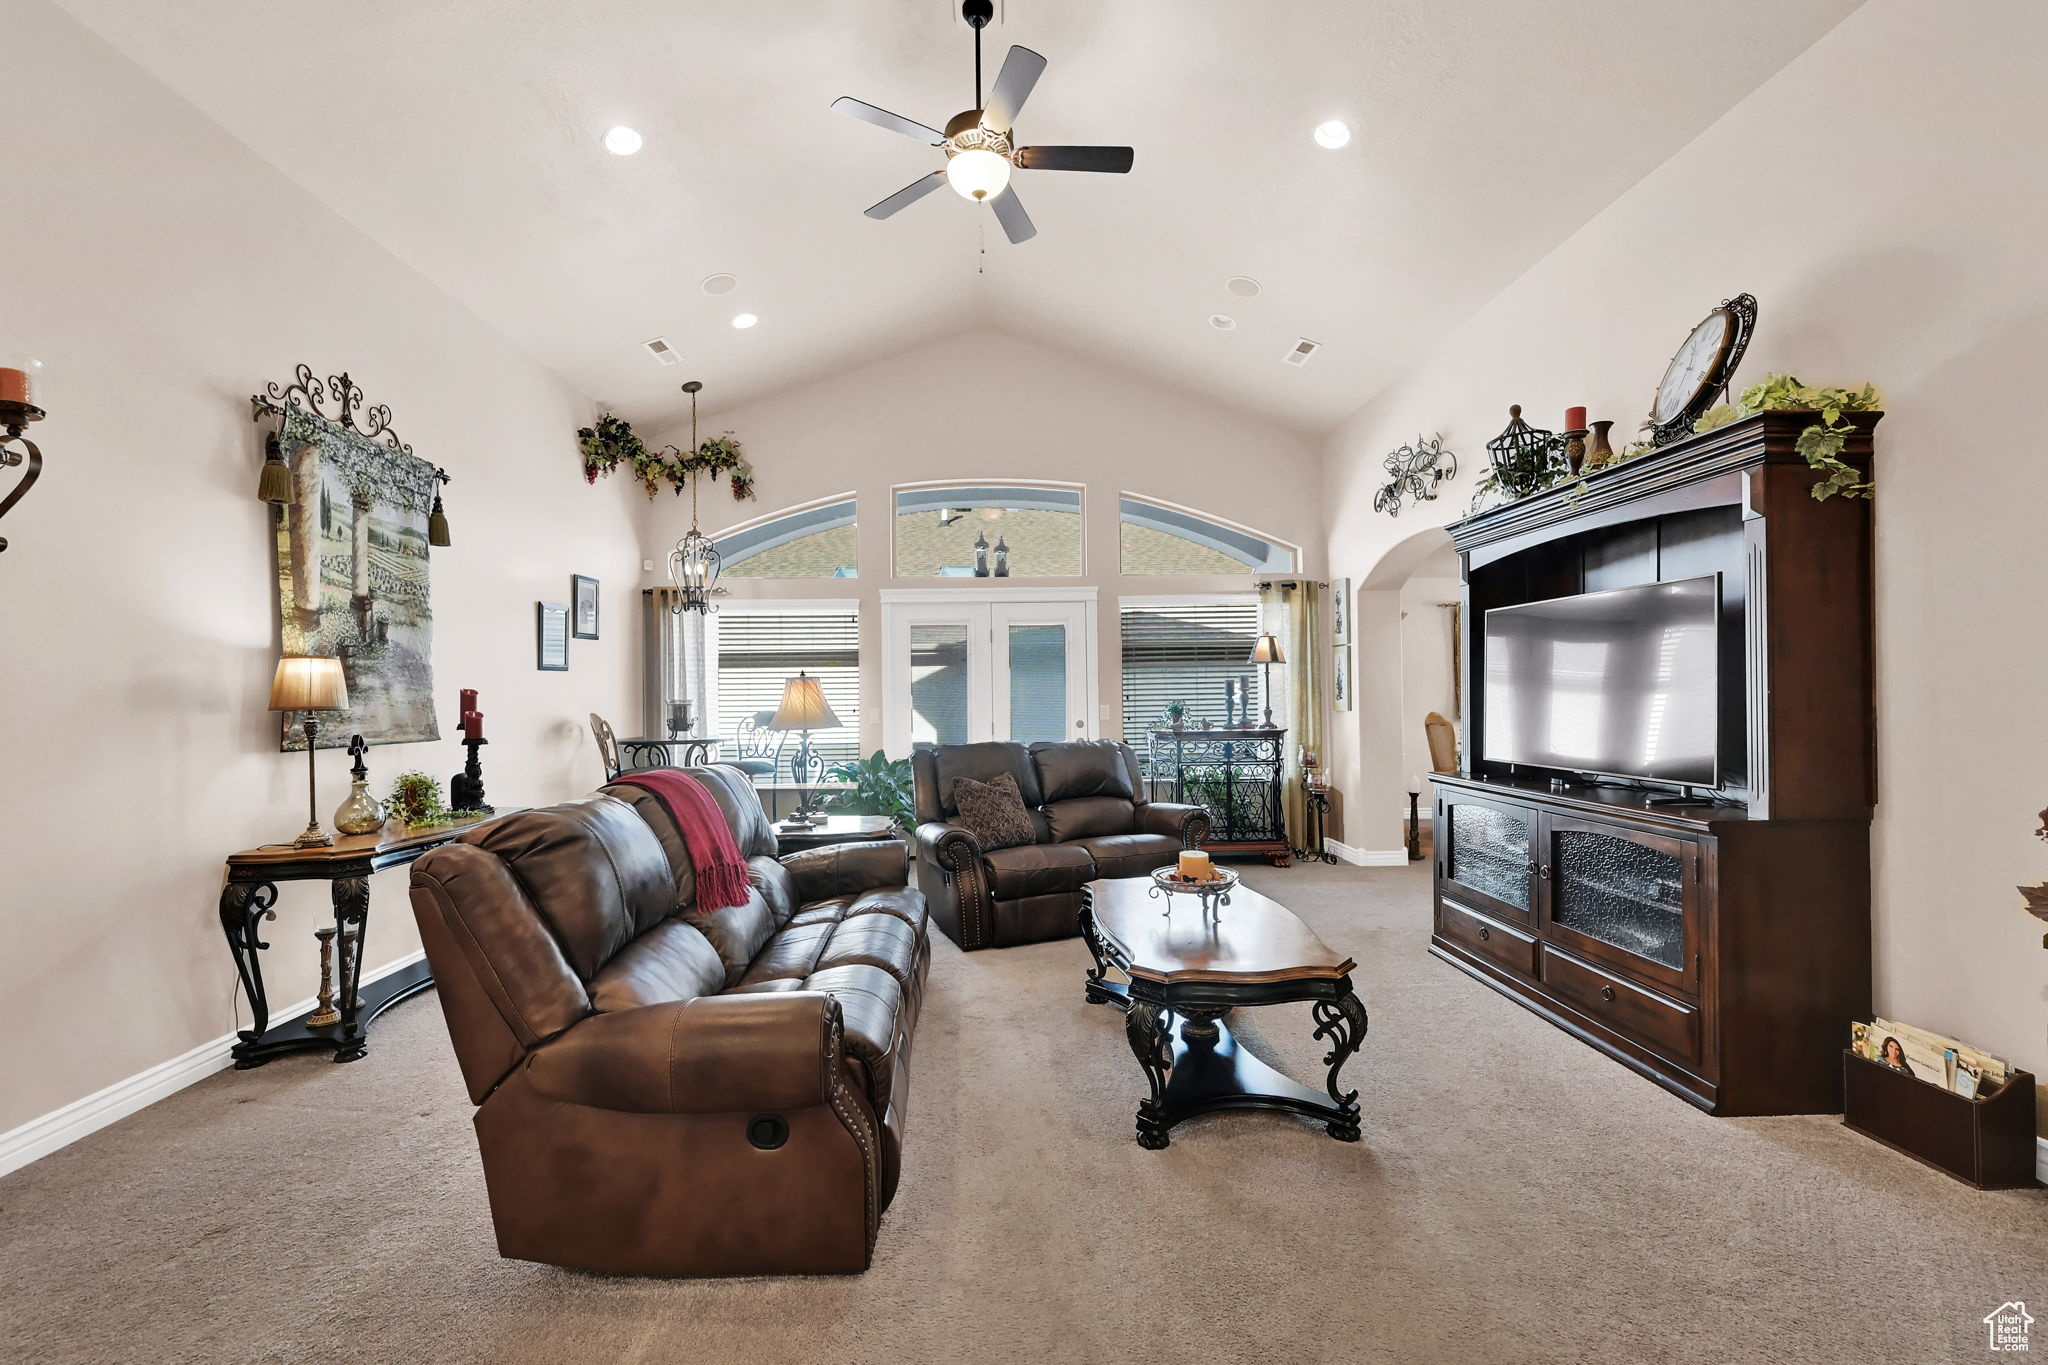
[(1183, 973)]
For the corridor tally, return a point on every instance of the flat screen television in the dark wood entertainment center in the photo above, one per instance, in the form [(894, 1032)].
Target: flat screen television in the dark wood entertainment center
[(1615, 682)]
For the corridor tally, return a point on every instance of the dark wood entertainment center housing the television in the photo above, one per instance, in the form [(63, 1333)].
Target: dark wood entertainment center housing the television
[(1719, 949)]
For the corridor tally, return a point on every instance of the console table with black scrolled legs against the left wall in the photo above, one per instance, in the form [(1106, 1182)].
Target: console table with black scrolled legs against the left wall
[(347, 867)]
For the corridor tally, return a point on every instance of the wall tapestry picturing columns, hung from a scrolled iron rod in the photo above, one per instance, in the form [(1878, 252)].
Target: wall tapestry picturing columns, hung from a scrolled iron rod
[(351, 570)]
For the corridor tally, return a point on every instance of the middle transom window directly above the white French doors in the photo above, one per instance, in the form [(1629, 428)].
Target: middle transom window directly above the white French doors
[(1033, 531)]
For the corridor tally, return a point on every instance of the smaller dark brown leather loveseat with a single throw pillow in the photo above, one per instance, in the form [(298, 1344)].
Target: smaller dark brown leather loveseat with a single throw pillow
[(1091, 816)]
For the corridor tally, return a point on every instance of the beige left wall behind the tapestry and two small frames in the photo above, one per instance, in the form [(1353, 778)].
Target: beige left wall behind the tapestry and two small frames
[(165, 273)]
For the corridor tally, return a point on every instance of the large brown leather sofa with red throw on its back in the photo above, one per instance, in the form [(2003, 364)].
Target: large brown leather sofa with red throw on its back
[(665, 1092)]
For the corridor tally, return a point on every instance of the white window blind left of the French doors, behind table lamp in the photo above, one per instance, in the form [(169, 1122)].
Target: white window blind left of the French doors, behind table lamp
[(759, 652)]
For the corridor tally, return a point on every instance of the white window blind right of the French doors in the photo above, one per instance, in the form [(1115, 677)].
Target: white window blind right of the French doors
[(1187, 654)]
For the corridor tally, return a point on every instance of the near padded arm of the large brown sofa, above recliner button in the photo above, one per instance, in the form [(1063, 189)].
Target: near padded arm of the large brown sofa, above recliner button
[(712, 1055)]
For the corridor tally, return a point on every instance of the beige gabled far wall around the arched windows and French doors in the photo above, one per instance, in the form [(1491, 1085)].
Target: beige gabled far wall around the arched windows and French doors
[(992, 406)]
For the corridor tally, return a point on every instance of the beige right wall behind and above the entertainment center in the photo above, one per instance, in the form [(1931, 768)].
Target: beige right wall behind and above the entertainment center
[(1883, 197)]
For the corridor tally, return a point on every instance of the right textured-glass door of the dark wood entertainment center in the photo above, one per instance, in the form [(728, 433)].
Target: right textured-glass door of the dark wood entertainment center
[(1625, 897)]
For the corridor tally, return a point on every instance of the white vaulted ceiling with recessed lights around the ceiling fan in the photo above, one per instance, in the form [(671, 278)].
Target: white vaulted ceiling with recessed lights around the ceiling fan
[(466, 138)]
